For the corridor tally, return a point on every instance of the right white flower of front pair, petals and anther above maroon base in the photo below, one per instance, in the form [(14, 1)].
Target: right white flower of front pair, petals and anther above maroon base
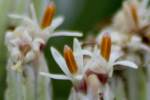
[(103, 60)]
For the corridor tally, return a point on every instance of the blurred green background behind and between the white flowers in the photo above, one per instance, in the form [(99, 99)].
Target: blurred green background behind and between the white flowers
[(80, 15)]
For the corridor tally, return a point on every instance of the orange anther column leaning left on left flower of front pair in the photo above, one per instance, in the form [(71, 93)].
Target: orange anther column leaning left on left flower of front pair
[(70, 60)]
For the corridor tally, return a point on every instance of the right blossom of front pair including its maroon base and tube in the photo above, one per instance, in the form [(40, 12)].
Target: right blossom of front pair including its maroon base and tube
[(103, 62)]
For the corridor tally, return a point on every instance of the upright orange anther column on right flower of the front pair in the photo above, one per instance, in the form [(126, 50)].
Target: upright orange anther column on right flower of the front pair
[(106, 46)]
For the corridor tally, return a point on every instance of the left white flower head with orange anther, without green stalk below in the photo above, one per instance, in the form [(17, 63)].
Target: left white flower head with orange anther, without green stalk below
[(26, 41)]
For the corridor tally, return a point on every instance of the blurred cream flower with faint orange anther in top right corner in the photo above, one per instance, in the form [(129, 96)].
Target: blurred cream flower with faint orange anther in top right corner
[(133, 18)]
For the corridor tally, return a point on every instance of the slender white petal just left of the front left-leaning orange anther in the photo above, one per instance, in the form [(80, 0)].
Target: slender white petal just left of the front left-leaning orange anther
[(60, 61)]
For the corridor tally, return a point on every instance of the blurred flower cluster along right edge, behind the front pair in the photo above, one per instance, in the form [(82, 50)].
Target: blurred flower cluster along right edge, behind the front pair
[(130, 30)]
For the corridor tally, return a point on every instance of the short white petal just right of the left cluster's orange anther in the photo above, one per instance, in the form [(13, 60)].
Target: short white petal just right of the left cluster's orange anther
[(55, 23)]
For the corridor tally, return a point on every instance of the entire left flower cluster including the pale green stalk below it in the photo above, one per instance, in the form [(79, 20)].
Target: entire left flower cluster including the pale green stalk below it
[(25, 45)]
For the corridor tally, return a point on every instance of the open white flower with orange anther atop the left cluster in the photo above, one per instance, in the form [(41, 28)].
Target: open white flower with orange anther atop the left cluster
[(47, 31)]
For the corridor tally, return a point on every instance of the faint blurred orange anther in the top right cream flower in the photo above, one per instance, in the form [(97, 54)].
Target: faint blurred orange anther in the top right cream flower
[(134, 14)]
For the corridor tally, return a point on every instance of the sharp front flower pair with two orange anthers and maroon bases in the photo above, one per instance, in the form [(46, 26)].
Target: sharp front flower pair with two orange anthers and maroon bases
[(89, 78)]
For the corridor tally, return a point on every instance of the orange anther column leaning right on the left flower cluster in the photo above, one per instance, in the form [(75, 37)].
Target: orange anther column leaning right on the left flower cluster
[(48, 15)]
